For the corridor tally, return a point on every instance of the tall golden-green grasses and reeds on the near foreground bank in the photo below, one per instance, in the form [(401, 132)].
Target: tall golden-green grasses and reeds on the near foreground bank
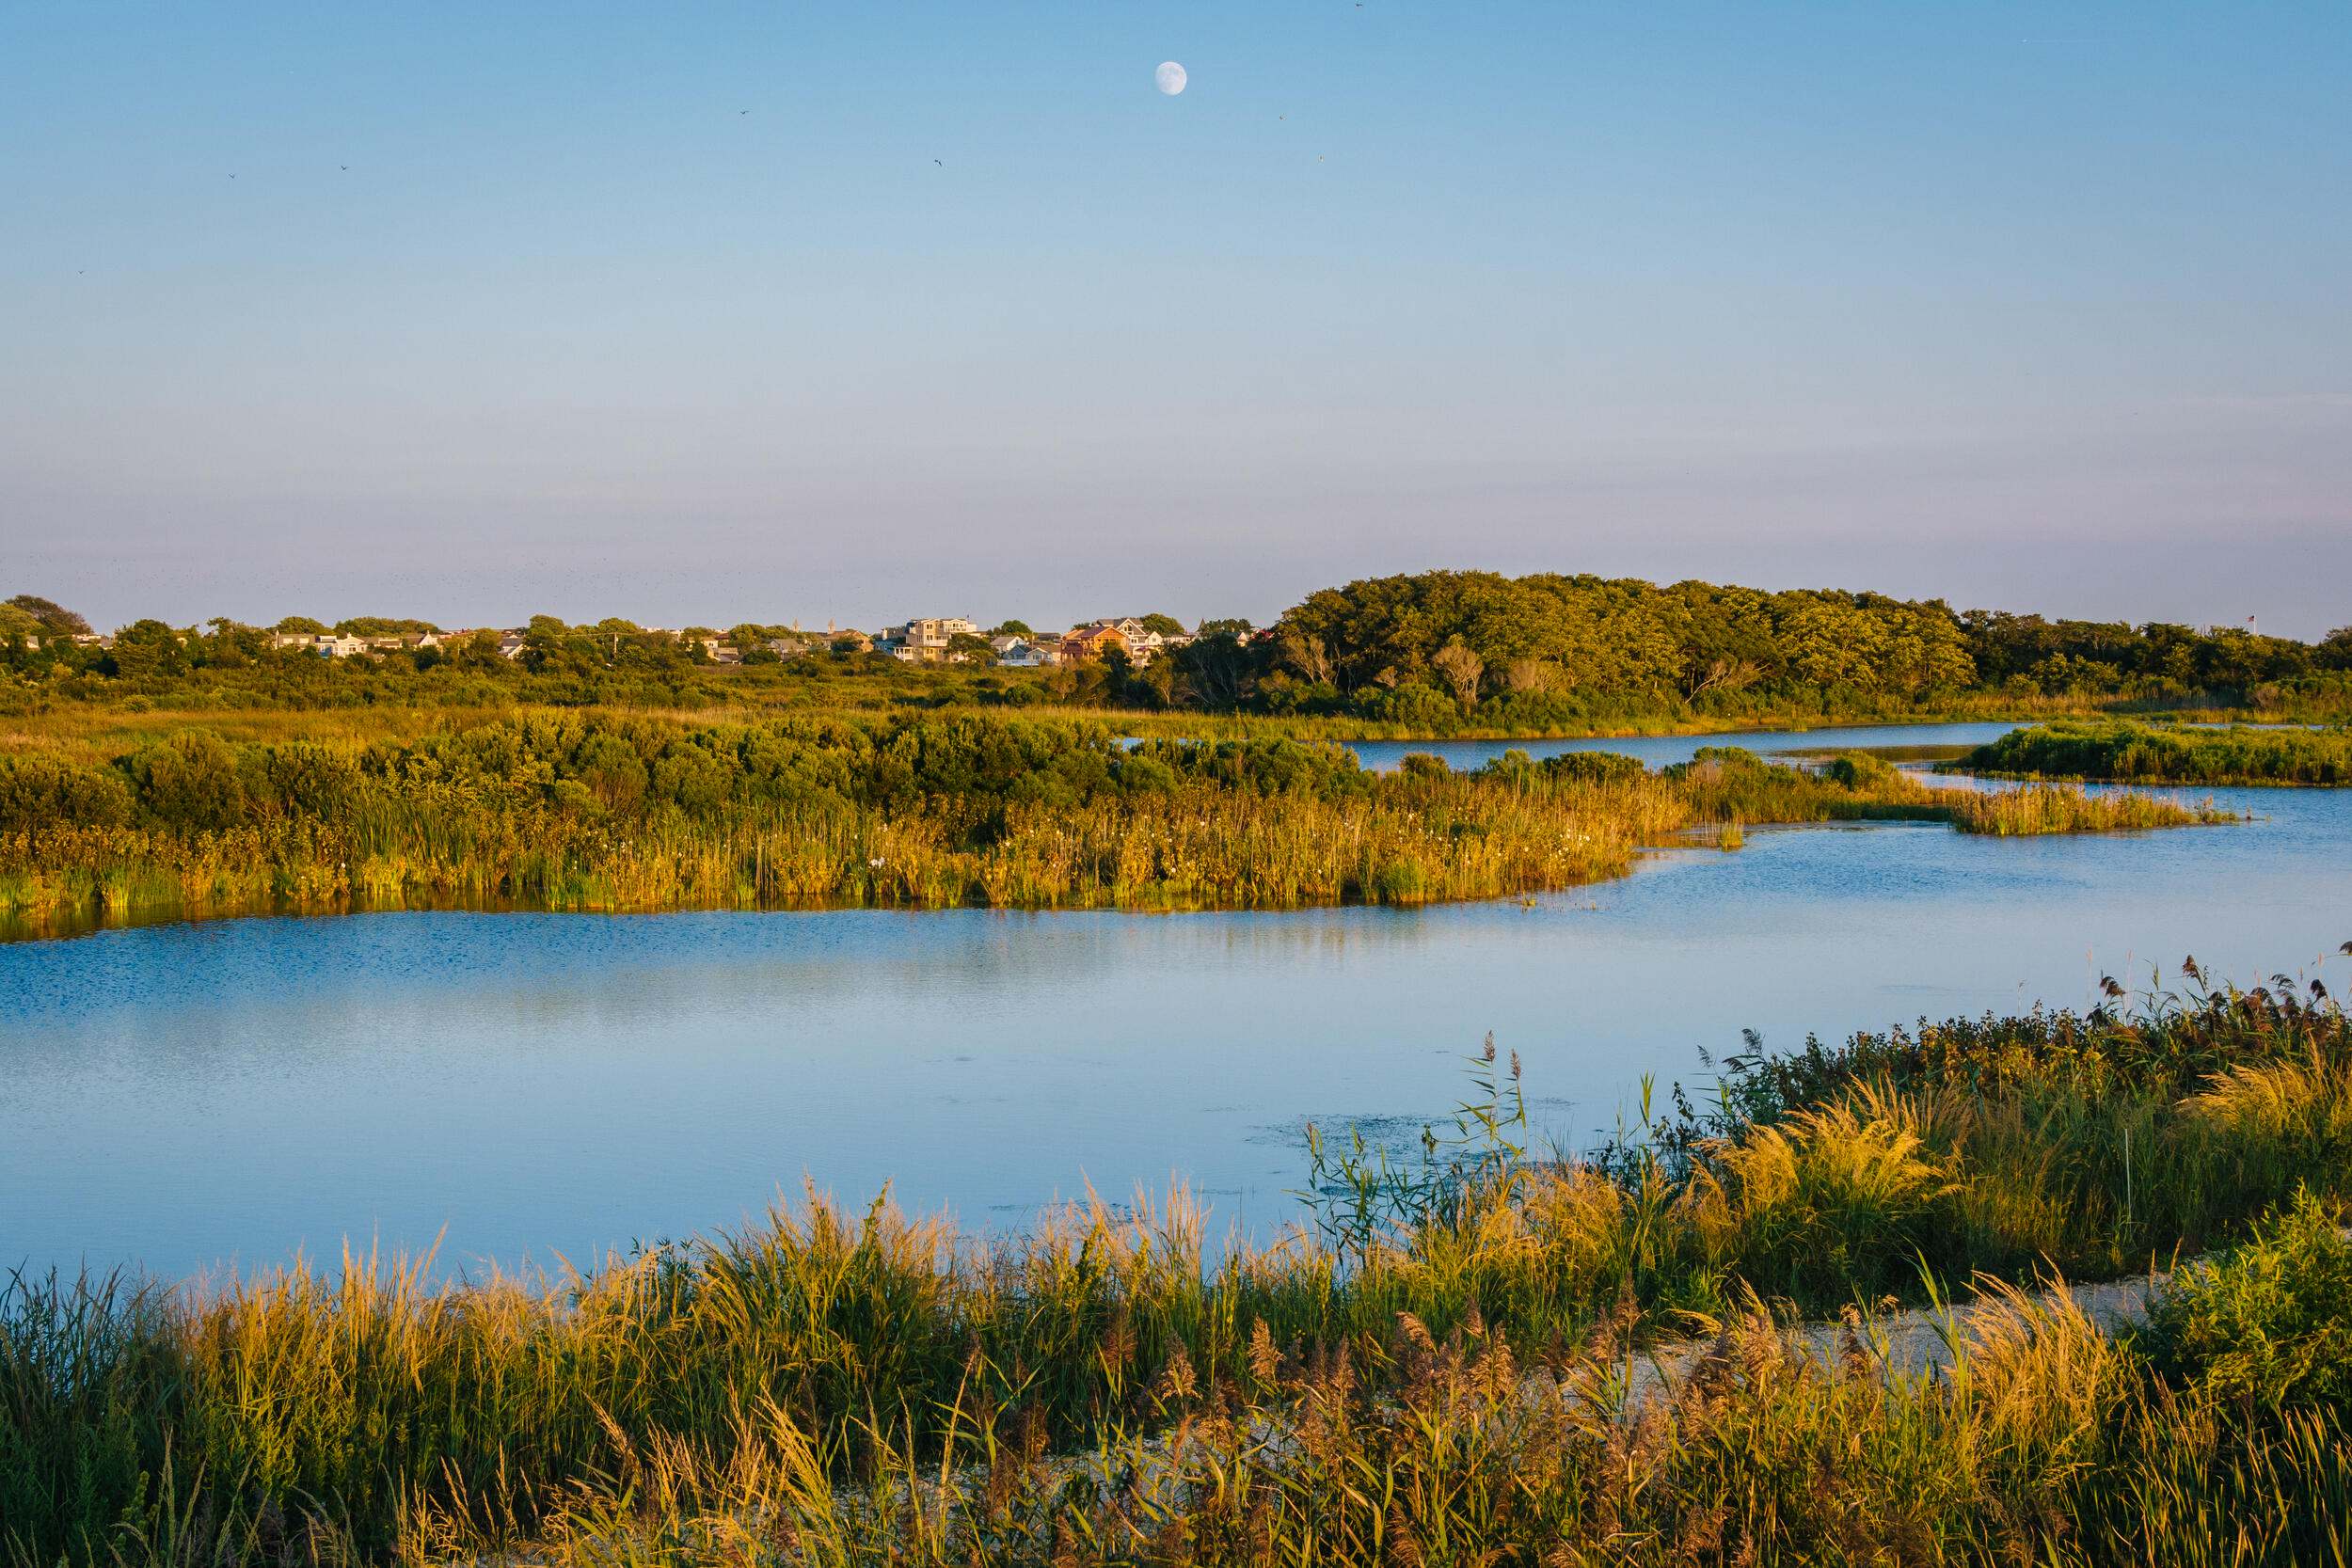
[(862, 1386)]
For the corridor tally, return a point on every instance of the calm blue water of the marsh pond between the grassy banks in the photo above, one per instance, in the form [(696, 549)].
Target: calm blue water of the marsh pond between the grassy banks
[(526, 1085)]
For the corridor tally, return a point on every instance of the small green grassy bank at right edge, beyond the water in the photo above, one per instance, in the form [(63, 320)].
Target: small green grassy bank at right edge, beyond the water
[(2144, 753)]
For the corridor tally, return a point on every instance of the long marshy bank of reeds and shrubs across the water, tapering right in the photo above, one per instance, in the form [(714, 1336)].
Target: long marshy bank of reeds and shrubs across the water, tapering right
[(606, 812)]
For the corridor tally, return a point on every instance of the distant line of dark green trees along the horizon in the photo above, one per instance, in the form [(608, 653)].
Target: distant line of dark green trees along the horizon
[(1429, 650)]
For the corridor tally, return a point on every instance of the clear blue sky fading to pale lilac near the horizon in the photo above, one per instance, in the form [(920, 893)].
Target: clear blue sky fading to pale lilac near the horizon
[(716, 314)]
